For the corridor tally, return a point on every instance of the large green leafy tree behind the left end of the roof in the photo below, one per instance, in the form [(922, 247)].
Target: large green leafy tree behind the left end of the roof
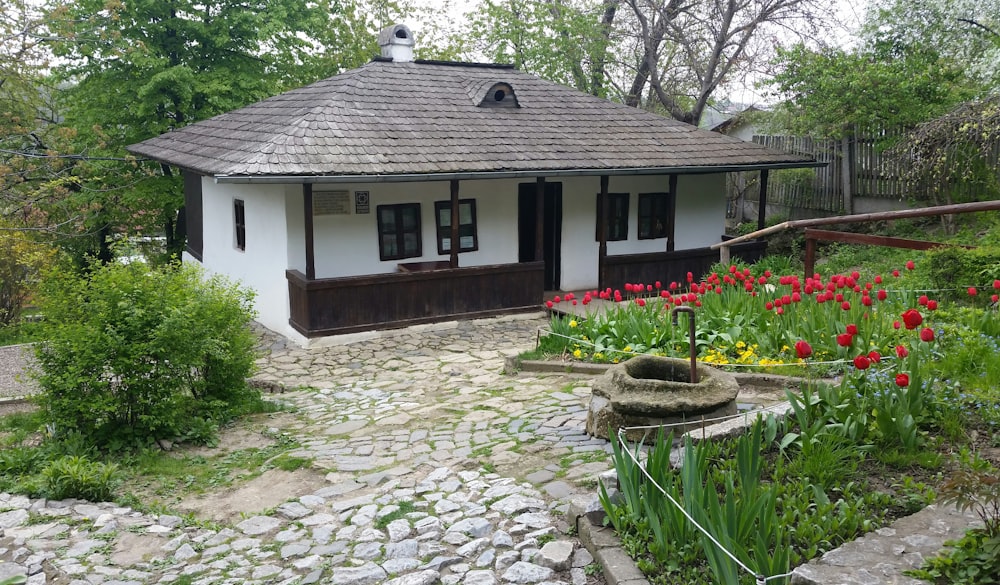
[(135, 70)]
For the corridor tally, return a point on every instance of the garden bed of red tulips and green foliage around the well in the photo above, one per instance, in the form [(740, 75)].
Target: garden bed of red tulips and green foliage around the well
[(917, 390)]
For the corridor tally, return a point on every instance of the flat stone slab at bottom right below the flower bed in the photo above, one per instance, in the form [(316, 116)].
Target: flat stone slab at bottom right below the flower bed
[(883, 555)]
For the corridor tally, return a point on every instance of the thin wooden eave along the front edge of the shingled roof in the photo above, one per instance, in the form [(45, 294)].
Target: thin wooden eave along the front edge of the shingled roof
[(532, 174)]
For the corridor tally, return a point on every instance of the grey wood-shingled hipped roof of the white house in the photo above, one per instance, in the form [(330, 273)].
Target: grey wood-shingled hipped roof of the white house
[(400, 119)]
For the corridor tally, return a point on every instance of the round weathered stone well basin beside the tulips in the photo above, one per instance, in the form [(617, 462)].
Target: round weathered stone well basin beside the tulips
[(650, 390)]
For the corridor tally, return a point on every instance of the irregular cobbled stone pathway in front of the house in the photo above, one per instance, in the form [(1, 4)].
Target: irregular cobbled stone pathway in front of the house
[(439, 468)]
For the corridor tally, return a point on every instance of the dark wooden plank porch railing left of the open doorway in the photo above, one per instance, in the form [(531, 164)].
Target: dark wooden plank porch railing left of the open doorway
[(331, 306)]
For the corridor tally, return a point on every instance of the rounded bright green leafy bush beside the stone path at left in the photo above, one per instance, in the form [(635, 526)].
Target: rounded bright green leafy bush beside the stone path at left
[(134, 353)]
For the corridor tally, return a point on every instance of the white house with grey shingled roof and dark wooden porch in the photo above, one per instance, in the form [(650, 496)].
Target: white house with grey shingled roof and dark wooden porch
[(339, 202)]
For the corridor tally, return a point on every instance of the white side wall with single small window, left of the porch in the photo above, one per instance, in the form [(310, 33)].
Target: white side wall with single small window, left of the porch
[(262, 265)]
